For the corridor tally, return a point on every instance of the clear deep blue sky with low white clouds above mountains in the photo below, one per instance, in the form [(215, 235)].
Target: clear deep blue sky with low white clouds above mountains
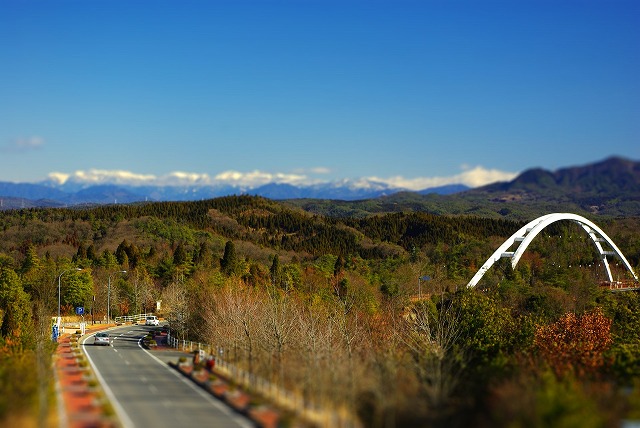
[(416, 93)]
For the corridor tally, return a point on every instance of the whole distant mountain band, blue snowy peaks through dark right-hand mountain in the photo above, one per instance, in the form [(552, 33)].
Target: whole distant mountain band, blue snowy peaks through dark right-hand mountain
[(609, 187)]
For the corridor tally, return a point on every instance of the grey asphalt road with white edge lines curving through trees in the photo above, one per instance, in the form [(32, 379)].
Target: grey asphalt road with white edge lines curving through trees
[(146, 392)]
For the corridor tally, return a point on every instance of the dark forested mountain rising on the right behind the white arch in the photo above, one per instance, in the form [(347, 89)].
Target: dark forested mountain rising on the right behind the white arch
[(610, 188)]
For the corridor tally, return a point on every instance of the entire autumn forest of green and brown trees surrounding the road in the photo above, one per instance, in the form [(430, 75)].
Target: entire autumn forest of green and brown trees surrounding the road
[(369, 315)]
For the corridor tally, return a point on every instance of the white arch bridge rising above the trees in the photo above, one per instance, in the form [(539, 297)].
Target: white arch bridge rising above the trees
[(523, 237)]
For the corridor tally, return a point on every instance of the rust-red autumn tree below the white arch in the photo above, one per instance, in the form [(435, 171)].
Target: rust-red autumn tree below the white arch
[(575, 343)]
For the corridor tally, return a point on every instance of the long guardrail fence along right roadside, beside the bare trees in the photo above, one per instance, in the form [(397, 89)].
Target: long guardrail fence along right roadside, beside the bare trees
[(290, 400)]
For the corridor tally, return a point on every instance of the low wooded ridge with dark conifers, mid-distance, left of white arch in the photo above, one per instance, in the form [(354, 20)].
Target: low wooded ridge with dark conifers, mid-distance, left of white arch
[(256, 220)]
